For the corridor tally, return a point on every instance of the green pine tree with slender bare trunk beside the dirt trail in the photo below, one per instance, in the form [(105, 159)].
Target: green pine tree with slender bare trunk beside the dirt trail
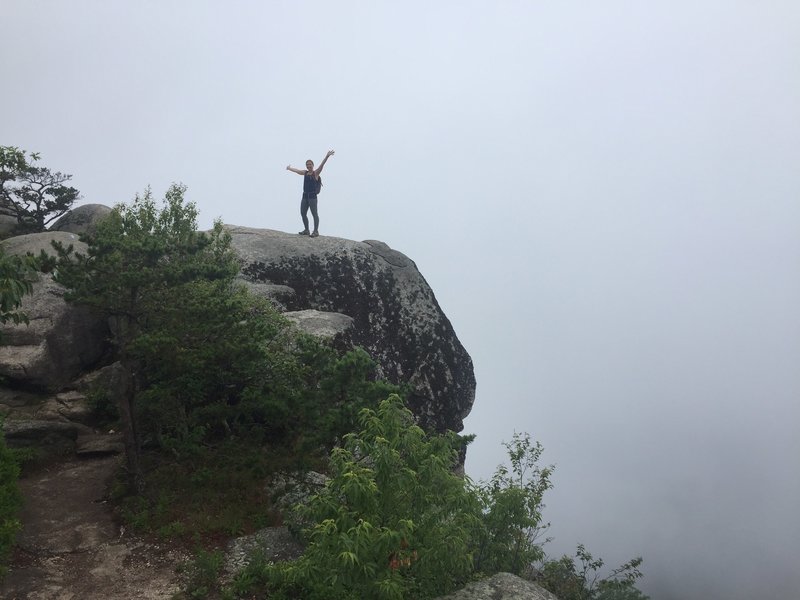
[(135, 257)]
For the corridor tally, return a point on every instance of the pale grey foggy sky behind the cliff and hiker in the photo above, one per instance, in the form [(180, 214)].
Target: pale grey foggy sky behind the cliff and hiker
[(604, 196)]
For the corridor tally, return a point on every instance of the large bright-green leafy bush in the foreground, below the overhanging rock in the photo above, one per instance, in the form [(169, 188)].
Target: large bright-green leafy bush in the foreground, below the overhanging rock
[(394, 520)]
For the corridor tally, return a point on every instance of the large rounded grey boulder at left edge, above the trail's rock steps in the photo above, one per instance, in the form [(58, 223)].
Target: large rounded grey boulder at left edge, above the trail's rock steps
[(60, 341)]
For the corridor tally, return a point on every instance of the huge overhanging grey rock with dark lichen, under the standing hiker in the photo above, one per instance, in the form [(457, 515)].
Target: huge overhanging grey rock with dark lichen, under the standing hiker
[(394, 312)]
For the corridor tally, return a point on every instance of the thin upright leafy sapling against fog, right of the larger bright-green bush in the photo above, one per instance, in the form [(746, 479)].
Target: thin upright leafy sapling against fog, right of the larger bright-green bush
[(512, 516)]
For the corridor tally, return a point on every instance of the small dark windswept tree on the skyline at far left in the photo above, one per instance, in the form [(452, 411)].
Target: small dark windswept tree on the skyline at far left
[(32, 194)]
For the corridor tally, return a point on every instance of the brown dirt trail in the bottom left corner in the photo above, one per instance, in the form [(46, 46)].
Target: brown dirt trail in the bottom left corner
[(71, 548)]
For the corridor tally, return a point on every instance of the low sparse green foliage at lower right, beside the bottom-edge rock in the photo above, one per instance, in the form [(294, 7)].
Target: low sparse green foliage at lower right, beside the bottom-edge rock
[(578, 578)]
